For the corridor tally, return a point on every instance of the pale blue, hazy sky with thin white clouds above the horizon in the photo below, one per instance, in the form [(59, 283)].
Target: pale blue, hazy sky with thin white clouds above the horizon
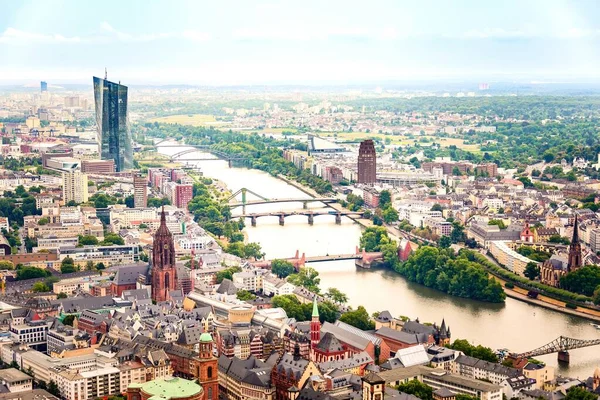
[(247, 42)]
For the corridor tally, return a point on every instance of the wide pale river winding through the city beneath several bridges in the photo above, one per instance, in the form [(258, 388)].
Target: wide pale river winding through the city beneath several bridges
[(514, 325)]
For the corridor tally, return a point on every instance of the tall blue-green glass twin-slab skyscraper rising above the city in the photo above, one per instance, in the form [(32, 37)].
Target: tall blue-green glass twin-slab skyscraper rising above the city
[(114, 136)]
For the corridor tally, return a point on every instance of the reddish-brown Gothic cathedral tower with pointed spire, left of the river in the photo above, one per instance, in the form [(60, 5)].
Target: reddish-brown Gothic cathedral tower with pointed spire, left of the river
[(164, 278)]
